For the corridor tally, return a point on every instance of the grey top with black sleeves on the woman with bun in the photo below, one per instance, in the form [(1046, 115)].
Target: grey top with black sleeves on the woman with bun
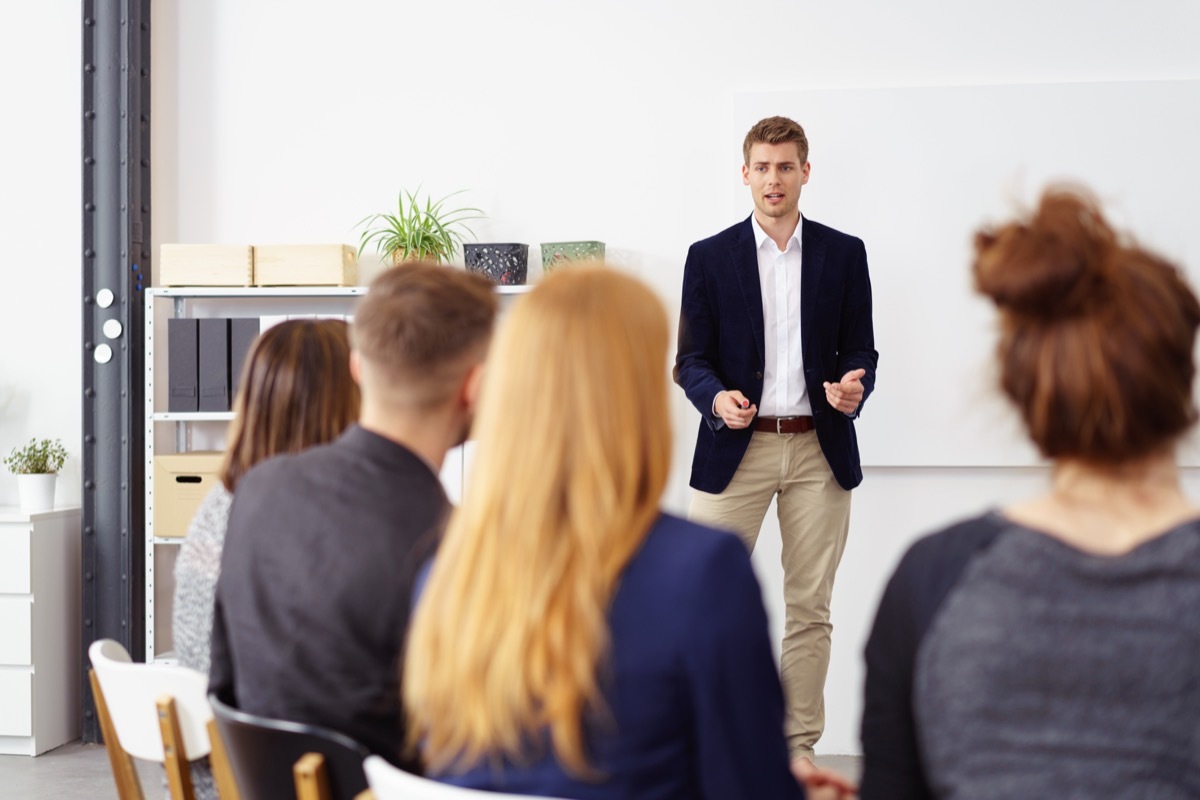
[(1006, 664)]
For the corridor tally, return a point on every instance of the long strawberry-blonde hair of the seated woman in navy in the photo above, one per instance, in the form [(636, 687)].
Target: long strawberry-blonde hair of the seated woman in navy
[(573, 456)]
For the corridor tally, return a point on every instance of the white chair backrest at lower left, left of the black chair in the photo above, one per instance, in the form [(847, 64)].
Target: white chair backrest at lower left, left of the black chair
[(133, 691)]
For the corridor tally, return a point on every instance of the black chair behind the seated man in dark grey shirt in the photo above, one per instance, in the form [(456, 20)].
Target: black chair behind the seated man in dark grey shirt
[(273, 760)]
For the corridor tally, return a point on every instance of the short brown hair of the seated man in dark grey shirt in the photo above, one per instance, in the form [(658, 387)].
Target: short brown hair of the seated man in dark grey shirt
[(417, 324)]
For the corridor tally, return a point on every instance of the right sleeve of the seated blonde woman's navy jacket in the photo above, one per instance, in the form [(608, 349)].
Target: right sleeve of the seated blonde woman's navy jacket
[(737, 699)]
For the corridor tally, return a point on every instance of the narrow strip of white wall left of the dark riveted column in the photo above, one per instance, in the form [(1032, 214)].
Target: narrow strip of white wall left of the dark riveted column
[(40, 236)]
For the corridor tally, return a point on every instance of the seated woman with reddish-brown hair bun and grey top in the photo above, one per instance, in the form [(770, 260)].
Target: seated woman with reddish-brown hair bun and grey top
[(1051, 649)]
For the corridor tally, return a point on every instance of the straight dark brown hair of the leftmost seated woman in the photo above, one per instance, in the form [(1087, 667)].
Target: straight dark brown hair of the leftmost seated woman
[(297, 392)]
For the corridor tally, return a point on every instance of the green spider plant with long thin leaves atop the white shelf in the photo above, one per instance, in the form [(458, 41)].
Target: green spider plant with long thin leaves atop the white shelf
[(417, 231)]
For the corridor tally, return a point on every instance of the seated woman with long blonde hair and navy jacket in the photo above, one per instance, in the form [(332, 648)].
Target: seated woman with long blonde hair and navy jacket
[(572, 640)]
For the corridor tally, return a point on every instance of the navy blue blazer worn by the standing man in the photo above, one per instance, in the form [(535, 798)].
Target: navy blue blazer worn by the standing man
[(722, 341)]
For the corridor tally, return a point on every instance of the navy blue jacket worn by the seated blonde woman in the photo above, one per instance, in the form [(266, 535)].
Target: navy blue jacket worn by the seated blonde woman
[(694, 709)]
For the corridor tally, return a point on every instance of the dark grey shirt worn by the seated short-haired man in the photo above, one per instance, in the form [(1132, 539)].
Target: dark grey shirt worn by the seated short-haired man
[(316, 582)]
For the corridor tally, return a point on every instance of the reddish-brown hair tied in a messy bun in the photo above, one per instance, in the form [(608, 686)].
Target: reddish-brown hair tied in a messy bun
[(1097, 335)]
